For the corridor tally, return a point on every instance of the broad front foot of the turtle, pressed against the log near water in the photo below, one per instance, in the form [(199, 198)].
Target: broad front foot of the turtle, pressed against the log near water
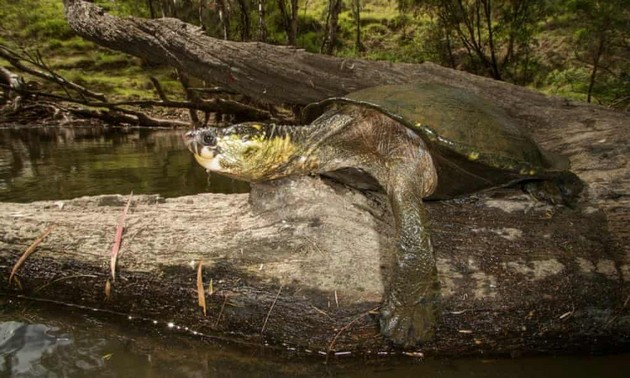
[(408, 325)]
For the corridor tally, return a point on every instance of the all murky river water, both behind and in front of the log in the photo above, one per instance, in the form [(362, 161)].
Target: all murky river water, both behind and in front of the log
[(52, 341)]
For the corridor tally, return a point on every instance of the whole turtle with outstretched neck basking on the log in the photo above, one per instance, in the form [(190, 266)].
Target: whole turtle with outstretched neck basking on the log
[(416, 142)]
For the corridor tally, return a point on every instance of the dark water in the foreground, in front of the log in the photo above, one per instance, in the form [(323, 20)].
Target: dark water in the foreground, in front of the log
[(62, 342)]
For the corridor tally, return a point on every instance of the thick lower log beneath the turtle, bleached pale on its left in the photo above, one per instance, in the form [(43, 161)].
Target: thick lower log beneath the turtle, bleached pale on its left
[(303, 262)]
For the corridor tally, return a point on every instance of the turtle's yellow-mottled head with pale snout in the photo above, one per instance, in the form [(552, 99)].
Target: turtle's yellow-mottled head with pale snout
[(247, 151)]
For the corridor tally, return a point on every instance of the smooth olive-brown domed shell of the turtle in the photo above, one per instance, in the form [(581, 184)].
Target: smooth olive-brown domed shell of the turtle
[(466, 133)]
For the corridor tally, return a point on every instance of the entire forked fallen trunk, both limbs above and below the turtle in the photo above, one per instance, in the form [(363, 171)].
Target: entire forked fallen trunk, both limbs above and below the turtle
[(304, 261)]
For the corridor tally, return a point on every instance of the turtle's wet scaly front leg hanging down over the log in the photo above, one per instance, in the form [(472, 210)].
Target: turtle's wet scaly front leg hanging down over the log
[(411, 308)]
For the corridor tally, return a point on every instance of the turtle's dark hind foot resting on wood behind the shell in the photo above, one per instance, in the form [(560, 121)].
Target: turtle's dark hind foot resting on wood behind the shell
[(563, 188)]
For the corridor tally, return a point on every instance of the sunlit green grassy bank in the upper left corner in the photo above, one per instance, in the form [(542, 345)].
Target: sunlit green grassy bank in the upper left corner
[(41, 25)]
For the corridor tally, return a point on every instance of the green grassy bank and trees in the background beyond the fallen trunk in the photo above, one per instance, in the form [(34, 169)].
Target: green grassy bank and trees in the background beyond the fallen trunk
[(578, 49)]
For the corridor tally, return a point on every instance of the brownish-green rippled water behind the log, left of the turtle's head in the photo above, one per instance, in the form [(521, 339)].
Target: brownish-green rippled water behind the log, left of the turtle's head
[(61, 163)]
